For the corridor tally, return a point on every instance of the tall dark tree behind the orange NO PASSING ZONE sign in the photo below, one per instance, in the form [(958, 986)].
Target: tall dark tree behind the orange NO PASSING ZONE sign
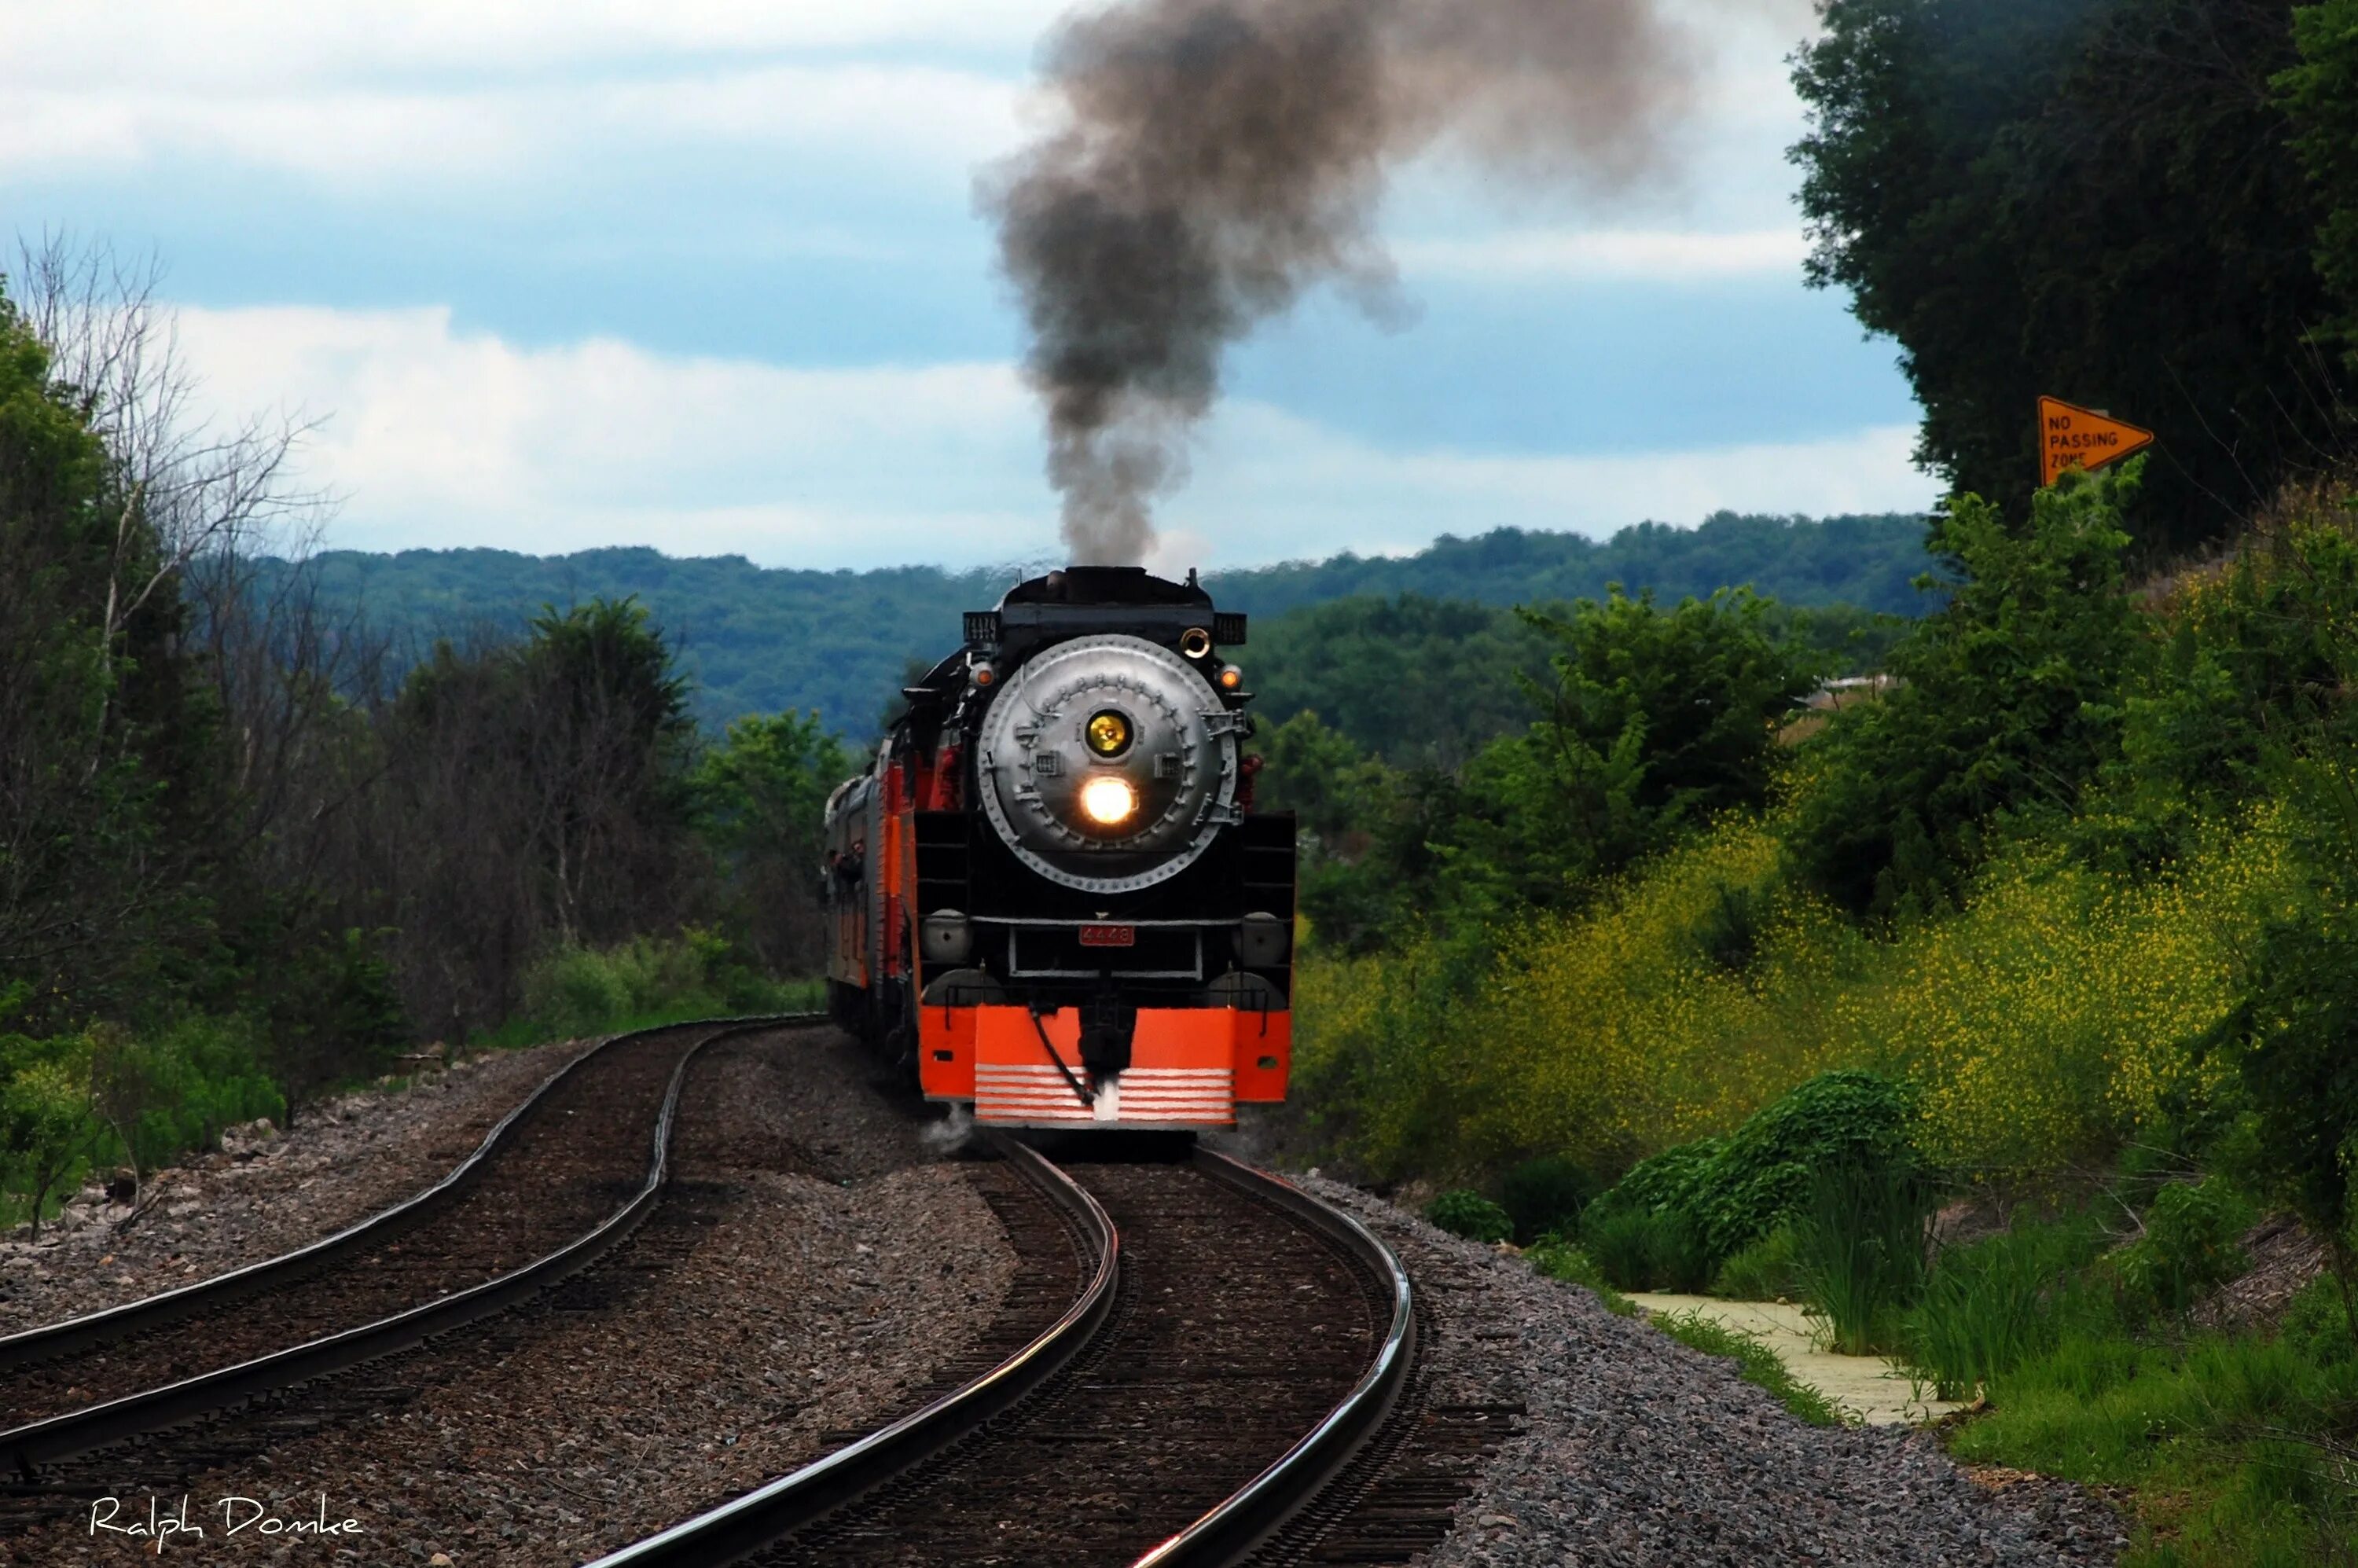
[(2095, 199)]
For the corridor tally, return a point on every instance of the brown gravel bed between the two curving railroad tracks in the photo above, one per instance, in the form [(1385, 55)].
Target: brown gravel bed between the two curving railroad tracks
[(812, 1267)]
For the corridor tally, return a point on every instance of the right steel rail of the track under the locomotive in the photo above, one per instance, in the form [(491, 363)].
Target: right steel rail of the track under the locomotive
[(1263, 1506)]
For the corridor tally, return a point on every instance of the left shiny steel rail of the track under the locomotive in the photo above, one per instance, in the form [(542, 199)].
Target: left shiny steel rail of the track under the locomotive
[(779, 1508)]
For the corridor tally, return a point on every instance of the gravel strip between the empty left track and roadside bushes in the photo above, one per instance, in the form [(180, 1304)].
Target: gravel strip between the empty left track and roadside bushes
[(268, 1192)]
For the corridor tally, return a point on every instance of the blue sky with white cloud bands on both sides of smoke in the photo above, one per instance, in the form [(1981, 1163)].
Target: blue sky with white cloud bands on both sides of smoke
[(709, 275)]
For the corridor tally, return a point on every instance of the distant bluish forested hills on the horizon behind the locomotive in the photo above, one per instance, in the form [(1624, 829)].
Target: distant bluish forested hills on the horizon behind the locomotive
[(768, 640)]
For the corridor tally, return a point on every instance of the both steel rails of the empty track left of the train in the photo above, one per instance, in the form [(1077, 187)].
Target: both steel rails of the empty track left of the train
[(60, 1437)]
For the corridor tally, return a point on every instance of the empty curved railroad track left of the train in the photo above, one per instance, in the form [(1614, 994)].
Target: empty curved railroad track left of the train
[(551, 1190)]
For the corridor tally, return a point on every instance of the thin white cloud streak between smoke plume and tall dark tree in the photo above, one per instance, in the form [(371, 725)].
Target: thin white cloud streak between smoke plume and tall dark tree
[(1605, 253)]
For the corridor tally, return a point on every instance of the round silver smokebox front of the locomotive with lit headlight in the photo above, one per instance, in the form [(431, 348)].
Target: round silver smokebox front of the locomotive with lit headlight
[(1109, 765)]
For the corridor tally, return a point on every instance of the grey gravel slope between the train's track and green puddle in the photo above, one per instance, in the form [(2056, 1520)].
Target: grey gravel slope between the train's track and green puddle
[(1640, 1451)]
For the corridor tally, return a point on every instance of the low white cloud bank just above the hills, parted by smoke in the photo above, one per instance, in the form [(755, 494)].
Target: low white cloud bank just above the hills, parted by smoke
[(442, 440)]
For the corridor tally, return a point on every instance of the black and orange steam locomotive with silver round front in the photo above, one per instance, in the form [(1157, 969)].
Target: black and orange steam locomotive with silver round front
[(1050, 892)]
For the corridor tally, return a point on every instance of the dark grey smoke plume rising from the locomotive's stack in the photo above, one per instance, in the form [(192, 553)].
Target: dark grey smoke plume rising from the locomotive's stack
[(1220, 157)]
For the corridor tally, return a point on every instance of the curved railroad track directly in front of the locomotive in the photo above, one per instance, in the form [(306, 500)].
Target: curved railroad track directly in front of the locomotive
[(1218, 1390)]
